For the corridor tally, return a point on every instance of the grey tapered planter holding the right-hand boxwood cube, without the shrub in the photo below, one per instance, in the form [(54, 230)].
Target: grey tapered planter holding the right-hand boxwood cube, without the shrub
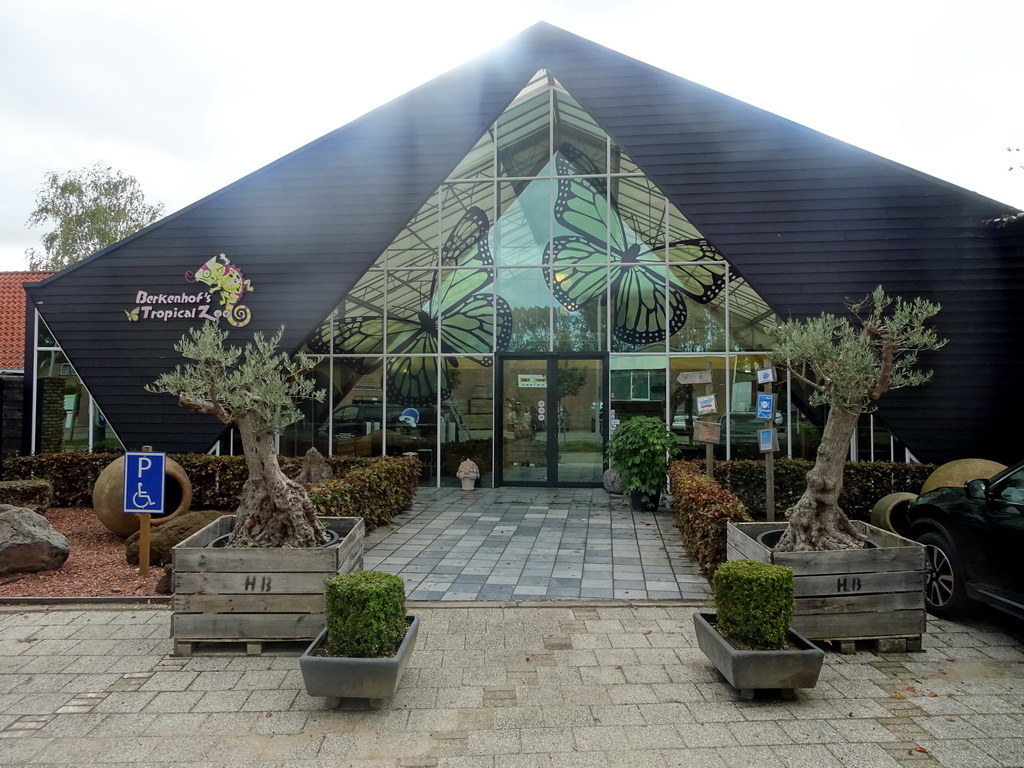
[(749, 671)]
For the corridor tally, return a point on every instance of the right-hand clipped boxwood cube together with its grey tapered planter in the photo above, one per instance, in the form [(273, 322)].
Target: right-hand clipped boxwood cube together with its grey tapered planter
[(749, 638)]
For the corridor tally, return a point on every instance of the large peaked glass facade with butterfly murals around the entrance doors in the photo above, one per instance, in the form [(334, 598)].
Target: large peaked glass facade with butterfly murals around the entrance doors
[(546, 239)]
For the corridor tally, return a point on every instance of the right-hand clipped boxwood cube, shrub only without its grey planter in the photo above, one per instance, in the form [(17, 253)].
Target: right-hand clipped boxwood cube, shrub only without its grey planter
[(754, 603)]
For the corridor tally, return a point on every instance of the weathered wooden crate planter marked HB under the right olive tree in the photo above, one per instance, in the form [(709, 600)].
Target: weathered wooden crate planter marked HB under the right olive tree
[(867, 594)]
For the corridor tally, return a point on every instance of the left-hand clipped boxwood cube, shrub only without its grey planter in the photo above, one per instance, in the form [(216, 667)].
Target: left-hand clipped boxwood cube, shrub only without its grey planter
[(366, 615)]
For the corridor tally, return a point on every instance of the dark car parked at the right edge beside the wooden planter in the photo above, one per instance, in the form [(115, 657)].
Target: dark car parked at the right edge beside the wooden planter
[(974, 541)]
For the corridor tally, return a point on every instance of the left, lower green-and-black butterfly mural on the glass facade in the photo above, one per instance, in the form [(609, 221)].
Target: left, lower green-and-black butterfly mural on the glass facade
[(458, 315)]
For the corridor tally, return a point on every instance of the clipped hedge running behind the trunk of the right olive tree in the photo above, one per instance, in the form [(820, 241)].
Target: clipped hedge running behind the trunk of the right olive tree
[(864, 484)]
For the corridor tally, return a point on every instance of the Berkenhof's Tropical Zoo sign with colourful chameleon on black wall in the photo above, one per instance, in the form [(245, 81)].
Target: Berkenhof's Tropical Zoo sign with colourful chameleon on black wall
[(220, 276)]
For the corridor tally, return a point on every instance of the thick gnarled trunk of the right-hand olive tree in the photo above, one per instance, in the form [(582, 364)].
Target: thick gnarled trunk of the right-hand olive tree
[(817, 522)]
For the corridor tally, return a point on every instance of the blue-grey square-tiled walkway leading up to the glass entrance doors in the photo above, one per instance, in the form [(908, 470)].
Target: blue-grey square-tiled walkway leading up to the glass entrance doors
[(534, 544)]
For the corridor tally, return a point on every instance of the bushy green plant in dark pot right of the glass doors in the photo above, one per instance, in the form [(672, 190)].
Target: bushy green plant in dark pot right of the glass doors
[(638, 451)]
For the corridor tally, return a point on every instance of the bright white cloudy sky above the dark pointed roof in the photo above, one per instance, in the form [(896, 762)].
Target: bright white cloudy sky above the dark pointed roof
[(191, 96)]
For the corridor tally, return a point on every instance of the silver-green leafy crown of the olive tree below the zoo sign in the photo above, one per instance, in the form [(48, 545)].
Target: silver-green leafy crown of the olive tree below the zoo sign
[(254, 386)]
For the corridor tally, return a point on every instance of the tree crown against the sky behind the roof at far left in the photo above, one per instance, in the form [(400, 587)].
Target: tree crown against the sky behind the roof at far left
[(91, 209)]
